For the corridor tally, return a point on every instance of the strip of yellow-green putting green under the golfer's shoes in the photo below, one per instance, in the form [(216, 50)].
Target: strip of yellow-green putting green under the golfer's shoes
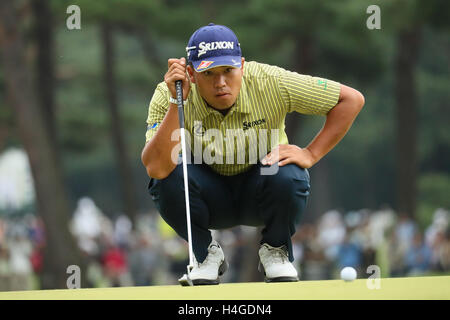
[(416, 288)]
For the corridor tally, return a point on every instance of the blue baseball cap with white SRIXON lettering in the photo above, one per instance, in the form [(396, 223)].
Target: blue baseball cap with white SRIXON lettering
[(213, 46)]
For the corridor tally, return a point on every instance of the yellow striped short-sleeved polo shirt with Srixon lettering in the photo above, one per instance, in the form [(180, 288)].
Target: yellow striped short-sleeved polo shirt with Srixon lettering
[(231, 144)]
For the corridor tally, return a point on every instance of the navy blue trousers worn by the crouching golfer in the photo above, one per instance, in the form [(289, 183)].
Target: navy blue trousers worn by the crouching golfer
[(274, 202)]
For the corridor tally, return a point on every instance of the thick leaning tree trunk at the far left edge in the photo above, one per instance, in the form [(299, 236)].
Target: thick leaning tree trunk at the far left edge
[(60, 250)]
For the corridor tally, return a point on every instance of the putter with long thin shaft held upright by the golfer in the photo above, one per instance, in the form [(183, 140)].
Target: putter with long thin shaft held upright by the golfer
[(185, 280)]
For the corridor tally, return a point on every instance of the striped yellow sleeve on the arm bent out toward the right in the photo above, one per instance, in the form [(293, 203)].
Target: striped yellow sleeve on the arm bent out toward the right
[(307, 94)]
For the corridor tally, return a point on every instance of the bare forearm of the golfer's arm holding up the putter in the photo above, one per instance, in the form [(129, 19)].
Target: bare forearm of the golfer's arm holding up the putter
[(157, 153)]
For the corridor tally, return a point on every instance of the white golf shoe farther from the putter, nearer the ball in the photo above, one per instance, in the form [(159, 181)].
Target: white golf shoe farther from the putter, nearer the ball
[(275, 264)]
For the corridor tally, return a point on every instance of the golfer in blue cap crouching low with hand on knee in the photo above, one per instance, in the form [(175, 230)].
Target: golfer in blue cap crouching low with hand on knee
[(242, 169)]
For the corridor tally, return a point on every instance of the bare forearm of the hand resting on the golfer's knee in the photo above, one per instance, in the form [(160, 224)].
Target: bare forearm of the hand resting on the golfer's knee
[(338, 122)]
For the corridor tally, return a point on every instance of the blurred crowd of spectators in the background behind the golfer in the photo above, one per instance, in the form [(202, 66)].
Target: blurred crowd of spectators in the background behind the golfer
[(150, 253)]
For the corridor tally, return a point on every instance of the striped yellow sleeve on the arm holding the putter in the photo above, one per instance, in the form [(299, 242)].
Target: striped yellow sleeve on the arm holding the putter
[(157, 110)]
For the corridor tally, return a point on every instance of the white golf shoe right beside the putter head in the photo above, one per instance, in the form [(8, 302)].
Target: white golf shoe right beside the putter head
[(211, 268)]
